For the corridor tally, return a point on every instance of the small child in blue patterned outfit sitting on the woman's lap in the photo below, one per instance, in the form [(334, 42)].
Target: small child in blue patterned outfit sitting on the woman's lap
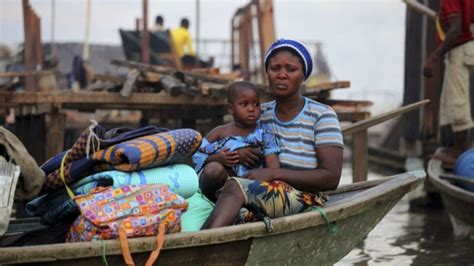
[(218, 157)]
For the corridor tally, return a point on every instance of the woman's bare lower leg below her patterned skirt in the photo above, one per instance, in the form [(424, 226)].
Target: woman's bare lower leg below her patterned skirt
[(227, 207)]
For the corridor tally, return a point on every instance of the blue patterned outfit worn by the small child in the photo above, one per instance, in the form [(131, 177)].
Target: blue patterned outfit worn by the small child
[(262, 138)]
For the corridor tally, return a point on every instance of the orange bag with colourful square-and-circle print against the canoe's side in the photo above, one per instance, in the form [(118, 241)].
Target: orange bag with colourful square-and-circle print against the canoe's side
[(139, 209)]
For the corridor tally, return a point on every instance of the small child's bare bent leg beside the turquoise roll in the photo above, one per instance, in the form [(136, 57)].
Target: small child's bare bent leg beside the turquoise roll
[(212, 179)]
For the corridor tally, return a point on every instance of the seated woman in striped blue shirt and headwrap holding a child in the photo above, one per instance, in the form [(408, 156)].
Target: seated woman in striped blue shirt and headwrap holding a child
[(310, 141)]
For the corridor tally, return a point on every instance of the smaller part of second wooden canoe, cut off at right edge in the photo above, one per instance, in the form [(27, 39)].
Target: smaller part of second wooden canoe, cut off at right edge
[(458, 202)]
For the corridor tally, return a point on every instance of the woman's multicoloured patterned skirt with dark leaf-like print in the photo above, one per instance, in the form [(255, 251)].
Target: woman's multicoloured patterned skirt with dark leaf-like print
[(276, 199)]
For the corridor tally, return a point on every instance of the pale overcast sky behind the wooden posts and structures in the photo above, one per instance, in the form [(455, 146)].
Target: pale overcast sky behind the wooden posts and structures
[(363, 40)]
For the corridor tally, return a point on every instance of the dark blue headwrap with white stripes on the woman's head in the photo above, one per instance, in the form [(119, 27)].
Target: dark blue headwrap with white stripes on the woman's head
[(298, 47)]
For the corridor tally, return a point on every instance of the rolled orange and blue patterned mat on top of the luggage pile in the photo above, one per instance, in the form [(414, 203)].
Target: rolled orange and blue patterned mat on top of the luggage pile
[(150, 151)]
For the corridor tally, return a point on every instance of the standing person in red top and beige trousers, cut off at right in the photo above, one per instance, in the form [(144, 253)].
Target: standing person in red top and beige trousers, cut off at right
[(456, 47)]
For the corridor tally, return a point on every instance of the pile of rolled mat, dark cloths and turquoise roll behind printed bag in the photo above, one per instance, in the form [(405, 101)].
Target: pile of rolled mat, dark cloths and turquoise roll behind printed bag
[(115, 158)]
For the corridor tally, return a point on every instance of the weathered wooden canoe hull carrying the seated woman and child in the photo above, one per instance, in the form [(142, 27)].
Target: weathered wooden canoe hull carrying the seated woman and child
[(298, 239)]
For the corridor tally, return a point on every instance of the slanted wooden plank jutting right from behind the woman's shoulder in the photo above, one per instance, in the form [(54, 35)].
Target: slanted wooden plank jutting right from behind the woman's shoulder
[(364, 124)]
